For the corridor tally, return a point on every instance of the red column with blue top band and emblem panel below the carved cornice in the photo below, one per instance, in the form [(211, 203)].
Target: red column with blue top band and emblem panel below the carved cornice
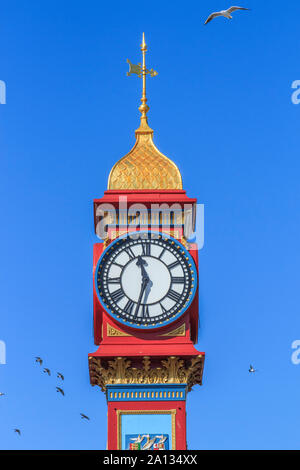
[(142, 417)]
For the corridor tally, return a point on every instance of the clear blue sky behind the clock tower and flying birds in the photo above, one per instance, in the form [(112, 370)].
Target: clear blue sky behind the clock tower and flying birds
[(221, 109)]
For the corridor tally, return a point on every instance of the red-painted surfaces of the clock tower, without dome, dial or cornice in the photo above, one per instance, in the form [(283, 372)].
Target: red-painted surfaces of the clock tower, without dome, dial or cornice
[(116, 340)]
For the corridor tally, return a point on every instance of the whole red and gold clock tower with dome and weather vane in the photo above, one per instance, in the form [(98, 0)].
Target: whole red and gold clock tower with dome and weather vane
[(145, 287)]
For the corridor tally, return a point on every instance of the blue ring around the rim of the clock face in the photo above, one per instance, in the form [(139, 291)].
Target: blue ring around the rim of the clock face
[(167, 322)]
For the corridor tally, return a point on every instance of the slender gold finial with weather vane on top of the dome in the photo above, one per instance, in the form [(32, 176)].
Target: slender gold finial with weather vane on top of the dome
[(141, 71)]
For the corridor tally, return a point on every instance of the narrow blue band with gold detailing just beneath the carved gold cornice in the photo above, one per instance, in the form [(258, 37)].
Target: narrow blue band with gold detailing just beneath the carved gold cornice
[(159, 392)]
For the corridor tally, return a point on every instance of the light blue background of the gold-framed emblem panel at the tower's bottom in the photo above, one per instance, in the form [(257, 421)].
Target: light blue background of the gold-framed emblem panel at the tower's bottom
[(133, 425)]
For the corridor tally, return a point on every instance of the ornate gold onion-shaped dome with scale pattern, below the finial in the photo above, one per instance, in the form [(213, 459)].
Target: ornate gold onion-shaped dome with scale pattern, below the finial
[(144, 167)]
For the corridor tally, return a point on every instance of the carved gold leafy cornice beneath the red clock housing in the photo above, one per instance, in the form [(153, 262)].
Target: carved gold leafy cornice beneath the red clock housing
[(170, 370)]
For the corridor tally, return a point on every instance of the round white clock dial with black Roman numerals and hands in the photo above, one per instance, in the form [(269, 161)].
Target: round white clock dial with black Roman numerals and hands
[(146, 280)]
